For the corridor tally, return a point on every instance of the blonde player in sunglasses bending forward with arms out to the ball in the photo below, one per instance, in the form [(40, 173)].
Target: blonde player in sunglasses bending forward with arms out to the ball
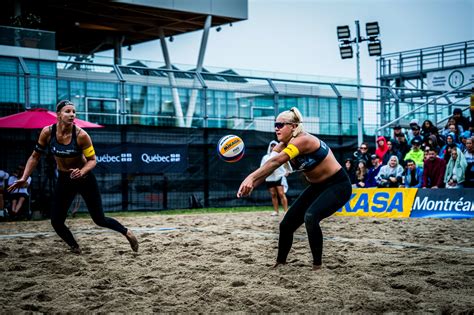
[(329, 189)]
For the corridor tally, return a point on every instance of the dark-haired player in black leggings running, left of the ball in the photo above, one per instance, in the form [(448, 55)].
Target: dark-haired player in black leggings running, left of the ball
[(75, 158)]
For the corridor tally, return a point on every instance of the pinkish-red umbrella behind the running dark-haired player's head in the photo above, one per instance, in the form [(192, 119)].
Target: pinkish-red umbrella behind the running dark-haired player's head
[(38, 118)]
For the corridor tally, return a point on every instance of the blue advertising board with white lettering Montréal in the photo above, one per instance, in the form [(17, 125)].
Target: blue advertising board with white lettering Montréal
[(444, 203)]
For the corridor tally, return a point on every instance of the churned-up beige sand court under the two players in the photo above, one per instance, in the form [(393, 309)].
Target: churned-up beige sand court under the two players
[(222, 263)]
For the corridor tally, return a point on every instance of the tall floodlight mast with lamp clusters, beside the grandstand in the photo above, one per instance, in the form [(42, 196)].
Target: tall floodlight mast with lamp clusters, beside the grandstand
[(345, 47)]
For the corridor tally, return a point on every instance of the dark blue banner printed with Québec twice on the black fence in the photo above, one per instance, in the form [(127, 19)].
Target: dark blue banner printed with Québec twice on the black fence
[(128, 158)]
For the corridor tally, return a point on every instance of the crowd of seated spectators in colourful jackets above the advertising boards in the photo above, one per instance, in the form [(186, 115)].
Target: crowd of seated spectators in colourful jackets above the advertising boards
[(422, 156)]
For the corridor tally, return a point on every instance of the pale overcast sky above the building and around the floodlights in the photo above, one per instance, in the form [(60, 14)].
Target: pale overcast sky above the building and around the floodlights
[(299, 36)]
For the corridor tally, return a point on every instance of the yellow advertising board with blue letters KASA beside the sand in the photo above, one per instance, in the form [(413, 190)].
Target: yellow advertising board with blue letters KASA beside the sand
[(379, 202)]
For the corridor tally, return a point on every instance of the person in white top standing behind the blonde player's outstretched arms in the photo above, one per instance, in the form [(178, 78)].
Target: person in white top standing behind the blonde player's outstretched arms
[(276, 183)]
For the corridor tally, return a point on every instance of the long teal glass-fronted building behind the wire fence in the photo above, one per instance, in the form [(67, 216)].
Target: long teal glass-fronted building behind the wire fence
[(111, 94)]
